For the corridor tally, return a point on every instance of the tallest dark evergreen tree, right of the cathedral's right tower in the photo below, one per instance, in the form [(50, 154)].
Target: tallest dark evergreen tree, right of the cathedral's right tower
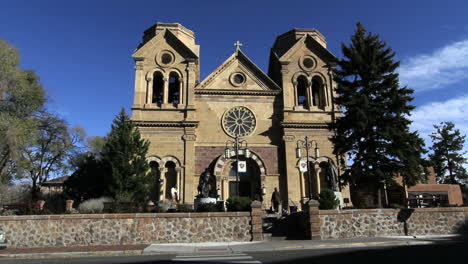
[(373, 130)]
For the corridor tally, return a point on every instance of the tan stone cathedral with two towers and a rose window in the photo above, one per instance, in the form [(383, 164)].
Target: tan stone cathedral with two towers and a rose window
[(247, 131)]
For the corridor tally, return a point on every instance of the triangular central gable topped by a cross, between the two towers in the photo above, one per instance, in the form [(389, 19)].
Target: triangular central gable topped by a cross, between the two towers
[(238, 73)]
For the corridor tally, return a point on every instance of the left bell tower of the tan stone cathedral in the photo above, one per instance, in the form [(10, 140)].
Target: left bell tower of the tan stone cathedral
[(166, 71)]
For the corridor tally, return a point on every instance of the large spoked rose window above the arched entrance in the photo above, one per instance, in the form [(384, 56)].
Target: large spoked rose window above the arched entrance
[(239, 122)]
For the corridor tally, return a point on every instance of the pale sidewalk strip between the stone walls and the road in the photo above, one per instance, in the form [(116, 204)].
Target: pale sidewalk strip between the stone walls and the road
[(220, 247)]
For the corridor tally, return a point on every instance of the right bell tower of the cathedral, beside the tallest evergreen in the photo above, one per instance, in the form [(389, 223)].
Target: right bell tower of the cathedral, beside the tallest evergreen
[(301, 64)]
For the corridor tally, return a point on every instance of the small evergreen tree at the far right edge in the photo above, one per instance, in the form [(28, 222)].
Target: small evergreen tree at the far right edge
[(448, 155)]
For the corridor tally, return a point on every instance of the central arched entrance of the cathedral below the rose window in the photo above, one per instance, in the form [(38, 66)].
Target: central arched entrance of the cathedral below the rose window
[(250, 182)]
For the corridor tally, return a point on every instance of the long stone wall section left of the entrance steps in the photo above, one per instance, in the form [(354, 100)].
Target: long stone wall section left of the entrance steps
[(113, 229)]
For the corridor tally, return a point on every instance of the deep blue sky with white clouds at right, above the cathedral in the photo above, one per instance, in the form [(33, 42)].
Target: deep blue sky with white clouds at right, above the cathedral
[(82, 49)]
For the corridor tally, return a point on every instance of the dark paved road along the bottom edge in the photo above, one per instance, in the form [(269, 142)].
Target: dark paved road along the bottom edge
[(440, 254)]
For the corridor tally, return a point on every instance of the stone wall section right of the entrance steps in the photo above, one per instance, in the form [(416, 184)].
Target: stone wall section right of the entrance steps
[(336, 224)]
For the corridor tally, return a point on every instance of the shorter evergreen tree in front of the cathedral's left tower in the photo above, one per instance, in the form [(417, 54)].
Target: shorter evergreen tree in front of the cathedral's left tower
[(125, 152)]
